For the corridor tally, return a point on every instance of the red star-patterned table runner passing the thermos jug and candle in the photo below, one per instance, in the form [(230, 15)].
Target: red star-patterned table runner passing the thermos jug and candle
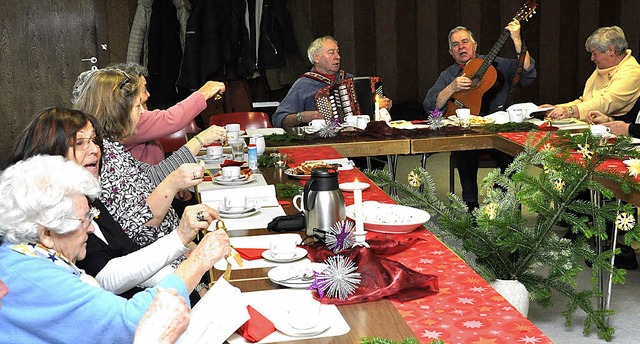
[(467, 309)]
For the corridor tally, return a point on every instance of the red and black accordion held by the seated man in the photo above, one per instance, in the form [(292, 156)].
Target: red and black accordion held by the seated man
[(353, 96)]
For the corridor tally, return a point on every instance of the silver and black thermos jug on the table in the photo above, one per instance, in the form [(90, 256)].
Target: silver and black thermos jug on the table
[(322, 201)]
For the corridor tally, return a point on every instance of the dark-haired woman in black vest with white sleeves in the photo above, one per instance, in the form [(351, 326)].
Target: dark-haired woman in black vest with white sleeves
[(115, 260)]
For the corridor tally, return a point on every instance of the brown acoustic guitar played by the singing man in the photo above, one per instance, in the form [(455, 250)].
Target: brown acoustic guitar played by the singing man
[(482, 74)]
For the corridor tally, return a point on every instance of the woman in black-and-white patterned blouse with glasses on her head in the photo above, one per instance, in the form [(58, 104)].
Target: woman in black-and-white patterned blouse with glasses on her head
[(138, 195)]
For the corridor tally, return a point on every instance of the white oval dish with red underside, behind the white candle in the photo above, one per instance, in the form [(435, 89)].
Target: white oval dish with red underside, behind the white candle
[(389, 218)]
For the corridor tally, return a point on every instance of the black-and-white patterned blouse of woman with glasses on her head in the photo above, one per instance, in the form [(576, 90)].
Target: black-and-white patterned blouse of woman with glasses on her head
[(127, 182)]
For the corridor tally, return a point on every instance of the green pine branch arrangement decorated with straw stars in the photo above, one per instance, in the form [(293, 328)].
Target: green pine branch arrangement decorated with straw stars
[(547, 179)]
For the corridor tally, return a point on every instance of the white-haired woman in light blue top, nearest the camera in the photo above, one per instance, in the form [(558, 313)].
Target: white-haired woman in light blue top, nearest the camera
[(45, 219)]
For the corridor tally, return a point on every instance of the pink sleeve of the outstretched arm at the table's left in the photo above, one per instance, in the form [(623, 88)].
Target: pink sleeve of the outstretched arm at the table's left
[(159, 123)]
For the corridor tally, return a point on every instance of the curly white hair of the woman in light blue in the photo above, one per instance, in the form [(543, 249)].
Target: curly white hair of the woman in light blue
[(37, 193)]
